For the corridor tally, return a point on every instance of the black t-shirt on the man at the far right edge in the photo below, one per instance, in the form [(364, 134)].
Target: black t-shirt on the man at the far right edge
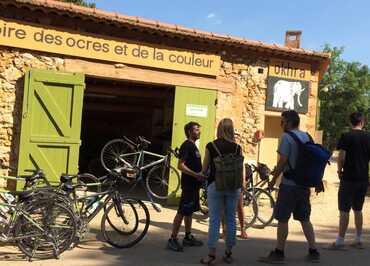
[(356, 144)]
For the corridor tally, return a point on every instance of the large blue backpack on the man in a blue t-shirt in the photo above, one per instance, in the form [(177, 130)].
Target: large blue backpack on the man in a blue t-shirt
[(310, 164)]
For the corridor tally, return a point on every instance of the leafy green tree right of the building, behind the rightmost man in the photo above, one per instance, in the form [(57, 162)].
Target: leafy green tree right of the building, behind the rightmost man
[(345, 88)]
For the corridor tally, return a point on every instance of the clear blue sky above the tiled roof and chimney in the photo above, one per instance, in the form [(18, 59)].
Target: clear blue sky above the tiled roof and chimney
[(337, 22)]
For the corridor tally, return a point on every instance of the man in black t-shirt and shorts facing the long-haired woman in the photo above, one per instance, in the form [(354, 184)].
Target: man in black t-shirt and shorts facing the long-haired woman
[(190, 165)]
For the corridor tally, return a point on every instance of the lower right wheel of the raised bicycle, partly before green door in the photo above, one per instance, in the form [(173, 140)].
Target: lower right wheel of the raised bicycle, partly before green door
[(158, 179)]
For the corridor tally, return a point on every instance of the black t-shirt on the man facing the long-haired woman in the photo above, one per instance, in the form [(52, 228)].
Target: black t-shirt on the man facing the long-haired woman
[(190, 154)]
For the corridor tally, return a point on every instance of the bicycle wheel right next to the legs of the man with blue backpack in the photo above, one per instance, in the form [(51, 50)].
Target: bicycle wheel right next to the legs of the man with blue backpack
[(265, 204)]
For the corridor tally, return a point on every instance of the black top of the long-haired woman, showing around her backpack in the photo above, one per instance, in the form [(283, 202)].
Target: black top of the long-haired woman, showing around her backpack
[(225, 147)]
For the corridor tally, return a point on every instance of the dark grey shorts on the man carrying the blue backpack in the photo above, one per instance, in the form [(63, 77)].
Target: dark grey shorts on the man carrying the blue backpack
[(292, 199)]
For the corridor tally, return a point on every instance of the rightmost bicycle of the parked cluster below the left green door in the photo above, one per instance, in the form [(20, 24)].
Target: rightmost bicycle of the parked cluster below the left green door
[(120, 220)]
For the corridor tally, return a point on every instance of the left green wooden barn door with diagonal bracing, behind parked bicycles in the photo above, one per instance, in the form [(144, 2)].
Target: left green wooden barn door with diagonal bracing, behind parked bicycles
[(51, 122)]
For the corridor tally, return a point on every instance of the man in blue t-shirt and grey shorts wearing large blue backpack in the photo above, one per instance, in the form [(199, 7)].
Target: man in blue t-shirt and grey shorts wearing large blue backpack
[(294, 193)]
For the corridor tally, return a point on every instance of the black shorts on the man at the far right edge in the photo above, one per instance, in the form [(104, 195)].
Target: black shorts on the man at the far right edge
[(351, 195)]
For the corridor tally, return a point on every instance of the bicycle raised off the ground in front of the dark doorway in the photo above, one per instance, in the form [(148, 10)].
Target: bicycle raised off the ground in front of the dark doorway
[(128, 158)]
